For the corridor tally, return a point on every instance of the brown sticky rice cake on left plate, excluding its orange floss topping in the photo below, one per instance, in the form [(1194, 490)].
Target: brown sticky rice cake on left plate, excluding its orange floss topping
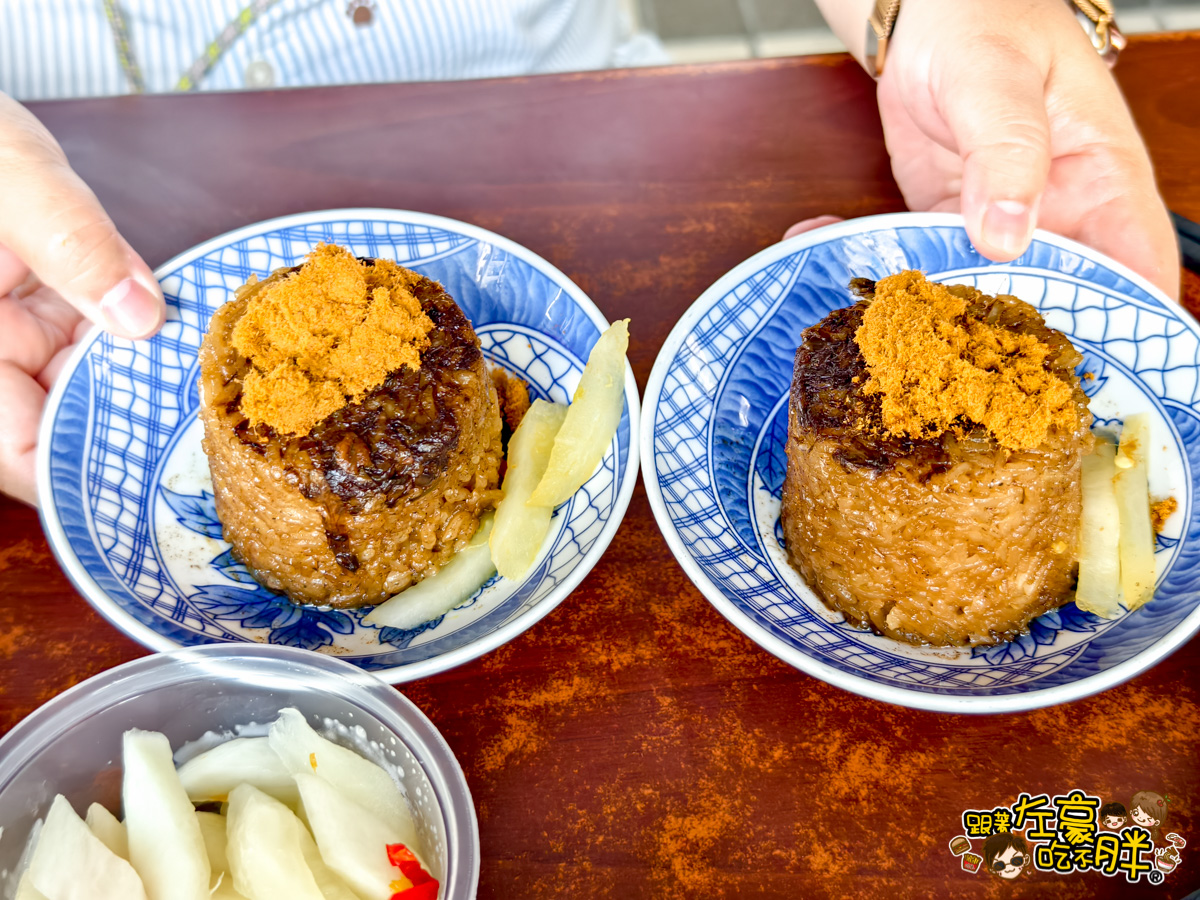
[(380, 493)]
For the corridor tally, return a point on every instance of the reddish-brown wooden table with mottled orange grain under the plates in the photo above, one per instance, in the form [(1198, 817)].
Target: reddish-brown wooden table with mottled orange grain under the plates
[(634, 745)]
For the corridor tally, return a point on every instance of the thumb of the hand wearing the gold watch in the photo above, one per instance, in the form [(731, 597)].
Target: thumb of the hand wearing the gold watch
[(994, 105)]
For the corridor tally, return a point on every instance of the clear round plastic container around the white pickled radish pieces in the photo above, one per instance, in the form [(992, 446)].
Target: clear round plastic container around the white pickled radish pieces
[(73, 746)]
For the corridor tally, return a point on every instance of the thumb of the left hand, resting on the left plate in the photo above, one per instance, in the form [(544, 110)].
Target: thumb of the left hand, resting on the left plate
[(55, 225)]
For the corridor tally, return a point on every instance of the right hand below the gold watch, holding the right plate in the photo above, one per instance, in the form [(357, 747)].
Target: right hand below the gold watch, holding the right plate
[(1010, 117)]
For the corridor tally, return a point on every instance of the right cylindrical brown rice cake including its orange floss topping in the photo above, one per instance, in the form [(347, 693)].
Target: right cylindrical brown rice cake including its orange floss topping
[(933, 489)]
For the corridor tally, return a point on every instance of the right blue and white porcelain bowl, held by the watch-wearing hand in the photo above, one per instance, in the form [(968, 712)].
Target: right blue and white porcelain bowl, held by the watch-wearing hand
[(716, 423)]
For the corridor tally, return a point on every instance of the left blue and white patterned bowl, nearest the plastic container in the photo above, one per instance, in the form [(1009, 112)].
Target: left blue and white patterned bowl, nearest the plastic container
[(125, 489)]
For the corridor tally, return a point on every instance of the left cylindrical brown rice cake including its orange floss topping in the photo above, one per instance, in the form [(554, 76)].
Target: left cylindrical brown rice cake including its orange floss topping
[(351, 425)]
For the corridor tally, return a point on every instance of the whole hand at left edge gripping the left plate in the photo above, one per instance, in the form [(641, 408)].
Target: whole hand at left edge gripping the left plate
[(63, 267)]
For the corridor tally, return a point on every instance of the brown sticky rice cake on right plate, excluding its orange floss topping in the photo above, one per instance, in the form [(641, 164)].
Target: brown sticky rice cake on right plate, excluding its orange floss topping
[(944, 537)]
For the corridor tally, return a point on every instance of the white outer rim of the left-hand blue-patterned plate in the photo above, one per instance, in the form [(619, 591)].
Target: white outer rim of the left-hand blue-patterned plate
[(394, 675)]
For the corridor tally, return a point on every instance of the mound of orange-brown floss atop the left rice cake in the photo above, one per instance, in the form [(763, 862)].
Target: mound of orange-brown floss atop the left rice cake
[(326, 337)]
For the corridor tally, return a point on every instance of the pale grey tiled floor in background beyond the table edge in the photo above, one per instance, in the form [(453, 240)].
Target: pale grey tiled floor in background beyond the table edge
[(710, 31)]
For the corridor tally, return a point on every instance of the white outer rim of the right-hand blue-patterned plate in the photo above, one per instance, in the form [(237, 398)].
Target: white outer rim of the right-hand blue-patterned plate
[(757, 632)]
